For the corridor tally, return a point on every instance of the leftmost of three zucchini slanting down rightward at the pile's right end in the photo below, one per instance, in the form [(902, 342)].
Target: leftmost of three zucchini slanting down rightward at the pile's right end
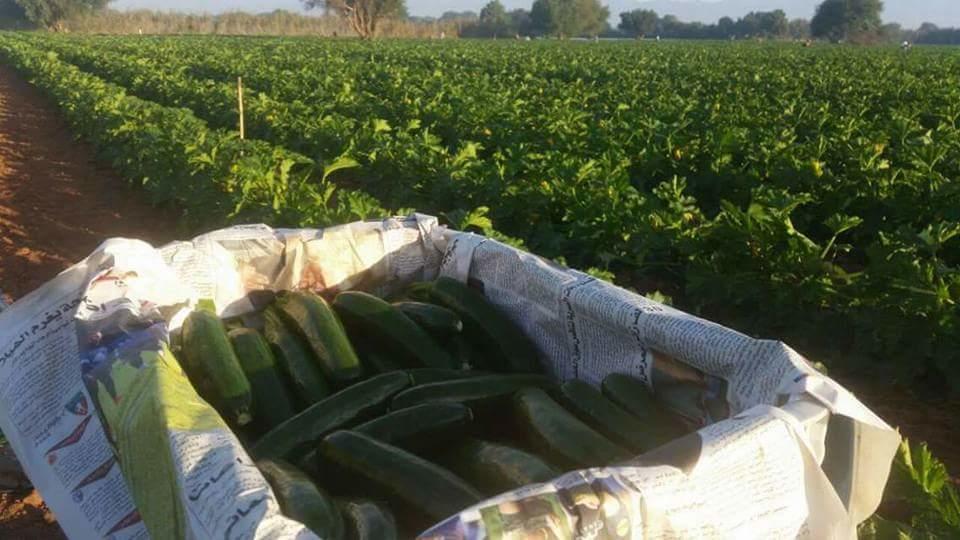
[(551, 431)]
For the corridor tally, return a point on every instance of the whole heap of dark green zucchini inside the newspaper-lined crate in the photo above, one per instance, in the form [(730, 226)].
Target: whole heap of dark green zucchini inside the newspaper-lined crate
[(373, 419)]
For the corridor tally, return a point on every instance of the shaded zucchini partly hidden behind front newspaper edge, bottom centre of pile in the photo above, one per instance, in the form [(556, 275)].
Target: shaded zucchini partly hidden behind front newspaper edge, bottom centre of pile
[(495, 468)]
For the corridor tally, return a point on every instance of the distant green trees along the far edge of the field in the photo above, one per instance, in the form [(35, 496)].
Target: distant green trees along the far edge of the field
[(835, 20)]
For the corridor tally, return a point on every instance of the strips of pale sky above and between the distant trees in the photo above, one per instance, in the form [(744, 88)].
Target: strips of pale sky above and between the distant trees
[(910, 13)]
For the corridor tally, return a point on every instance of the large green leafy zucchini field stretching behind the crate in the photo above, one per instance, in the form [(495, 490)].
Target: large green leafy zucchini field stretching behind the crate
[(805, 194)]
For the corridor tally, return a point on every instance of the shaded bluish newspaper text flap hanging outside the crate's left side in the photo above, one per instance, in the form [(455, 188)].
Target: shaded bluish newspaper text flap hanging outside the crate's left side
[(53, 425)]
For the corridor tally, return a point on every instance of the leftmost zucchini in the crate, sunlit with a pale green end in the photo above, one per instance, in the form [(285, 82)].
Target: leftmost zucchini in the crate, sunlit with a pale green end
[(213, 367)]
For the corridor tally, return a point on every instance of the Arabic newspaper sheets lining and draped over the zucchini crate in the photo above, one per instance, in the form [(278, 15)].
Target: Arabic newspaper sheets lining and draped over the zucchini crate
[(120, 446)]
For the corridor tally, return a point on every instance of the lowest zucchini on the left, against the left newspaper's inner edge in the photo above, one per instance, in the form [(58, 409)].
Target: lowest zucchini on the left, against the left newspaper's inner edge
[(300, 499)]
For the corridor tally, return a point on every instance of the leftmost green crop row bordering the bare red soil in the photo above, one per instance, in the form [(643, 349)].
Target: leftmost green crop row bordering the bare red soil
[(210, 174)]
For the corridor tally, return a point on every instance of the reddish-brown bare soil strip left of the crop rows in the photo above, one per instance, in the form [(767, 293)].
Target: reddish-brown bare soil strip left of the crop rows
[(56, 206)]
